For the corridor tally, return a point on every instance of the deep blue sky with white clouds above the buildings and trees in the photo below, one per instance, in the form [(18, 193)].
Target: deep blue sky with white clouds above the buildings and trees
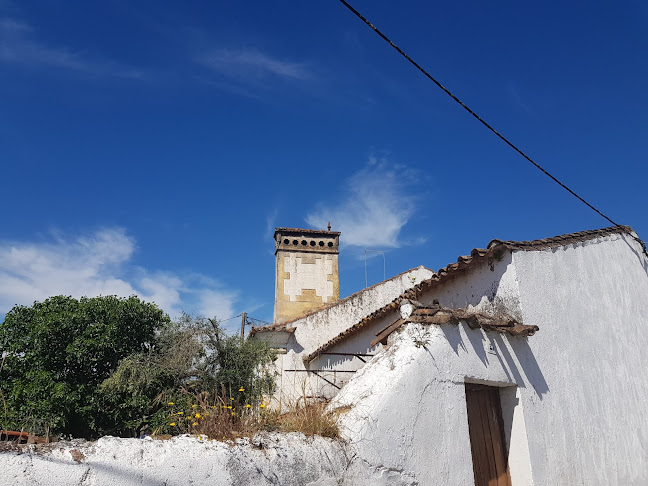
[(151, 147)]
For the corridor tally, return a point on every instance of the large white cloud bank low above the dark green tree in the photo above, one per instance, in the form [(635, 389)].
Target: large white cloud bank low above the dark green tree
[(100, 264)]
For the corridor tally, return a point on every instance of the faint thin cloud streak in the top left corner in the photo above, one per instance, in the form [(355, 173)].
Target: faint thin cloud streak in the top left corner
[(18, 45)]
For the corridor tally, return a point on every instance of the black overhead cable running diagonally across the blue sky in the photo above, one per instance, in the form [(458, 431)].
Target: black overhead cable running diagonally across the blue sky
[(481, 120)]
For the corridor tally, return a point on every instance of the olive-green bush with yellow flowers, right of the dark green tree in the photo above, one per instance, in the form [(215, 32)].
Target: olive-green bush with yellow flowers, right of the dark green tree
[(194, 365)]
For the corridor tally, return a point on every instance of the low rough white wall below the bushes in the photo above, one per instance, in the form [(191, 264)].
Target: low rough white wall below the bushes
[(276, 459)]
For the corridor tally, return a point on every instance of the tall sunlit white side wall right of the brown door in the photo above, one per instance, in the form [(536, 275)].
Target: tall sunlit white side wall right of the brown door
[(591, 303)]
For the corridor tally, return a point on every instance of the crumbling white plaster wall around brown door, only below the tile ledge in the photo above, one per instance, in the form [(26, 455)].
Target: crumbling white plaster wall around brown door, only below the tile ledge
[(406, 409)]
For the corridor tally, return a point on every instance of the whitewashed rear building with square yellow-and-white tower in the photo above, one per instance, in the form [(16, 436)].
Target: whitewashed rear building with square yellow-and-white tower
[(309, 313)]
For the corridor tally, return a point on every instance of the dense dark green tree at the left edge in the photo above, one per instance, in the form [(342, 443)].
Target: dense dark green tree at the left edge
[(58, 352)]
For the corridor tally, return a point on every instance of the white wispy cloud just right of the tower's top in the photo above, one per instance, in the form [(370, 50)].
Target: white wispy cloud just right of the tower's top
[(377, 202)]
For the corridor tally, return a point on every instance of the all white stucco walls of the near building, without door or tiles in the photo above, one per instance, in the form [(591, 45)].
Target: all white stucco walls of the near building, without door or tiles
[(573, 395)]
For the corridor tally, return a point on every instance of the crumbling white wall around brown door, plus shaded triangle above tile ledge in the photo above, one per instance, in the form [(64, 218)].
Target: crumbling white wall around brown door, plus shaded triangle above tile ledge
[(407, 406)]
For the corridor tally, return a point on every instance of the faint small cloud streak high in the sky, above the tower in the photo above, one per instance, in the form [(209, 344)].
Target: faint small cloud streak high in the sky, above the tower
[(251, 64)]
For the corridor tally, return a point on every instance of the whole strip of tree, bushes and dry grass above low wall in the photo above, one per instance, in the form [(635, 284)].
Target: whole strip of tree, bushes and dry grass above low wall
[(108, 365)]
